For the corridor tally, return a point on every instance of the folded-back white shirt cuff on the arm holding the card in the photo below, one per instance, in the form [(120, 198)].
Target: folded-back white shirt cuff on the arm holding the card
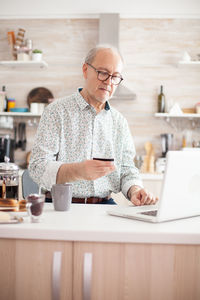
[(50, 174)]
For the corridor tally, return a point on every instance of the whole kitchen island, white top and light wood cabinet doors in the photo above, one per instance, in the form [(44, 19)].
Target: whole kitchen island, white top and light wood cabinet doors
[(72, 254)]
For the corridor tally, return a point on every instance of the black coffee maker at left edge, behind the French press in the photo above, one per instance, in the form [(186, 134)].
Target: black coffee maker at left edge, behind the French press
[(7, 147)]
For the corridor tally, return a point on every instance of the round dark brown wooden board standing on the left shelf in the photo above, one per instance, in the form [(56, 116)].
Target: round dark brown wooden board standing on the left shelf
[(39, 95)]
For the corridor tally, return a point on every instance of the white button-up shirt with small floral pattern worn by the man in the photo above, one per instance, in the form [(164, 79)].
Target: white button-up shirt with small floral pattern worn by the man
[(70, 131)]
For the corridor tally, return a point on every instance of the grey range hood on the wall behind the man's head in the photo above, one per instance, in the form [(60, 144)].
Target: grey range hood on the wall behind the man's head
[(109, 34)]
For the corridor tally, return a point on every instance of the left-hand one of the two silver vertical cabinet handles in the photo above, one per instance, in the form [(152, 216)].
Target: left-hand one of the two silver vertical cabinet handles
[(56, 270)]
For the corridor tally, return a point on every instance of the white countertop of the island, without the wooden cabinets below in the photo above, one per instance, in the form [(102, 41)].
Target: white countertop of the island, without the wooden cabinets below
[(92, 223)]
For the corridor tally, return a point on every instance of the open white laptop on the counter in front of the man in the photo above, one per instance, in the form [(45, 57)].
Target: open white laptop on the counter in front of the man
[(180, 192)]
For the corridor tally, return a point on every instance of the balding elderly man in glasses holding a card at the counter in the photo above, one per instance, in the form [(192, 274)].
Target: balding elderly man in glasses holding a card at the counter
[(75, 129)]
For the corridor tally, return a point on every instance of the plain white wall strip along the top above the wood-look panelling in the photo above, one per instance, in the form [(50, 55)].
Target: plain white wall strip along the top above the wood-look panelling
[(126, 8)]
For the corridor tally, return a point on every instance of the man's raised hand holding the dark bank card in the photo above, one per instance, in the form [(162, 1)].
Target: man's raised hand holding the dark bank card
[(93, 169)]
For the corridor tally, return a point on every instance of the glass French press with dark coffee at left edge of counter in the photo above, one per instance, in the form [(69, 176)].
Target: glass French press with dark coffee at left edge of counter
[(9, 180)]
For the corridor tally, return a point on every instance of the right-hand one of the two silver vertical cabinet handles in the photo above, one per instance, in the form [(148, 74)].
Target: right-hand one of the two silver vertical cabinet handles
[(87, 275)]
